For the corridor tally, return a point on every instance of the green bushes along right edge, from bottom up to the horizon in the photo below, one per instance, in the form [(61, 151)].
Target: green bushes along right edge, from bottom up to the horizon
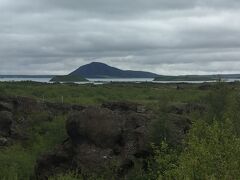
[(212, 146)]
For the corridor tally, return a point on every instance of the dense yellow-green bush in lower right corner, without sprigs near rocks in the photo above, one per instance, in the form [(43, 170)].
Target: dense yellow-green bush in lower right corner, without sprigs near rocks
[(212, 152)]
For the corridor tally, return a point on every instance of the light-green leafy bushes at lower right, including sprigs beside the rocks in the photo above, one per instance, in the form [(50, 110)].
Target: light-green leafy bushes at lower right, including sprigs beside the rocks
[(211, 152)]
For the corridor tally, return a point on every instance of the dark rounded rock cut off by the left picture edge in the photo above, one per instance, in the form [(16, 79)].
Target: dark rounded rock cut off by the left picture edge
[(5, 123)]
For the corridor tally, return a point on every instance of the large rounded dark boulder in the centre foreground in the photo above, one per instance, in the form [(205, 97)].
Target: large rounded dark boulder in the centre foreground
[(99, 126)]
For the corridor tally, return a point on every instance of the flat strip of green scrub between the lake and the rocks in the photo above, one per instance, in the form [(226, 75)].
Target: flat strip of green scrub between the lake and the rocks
[(150, 94)]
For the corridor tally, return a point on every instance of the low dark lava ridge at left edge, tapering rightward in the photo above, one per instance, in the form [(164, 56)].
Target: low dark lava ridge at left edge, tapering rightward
[(15, 116)]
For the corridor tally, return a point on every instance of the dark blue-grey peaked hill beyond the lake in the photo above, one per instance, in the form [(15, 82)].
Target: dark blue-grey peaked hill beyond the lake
[(101, 70)]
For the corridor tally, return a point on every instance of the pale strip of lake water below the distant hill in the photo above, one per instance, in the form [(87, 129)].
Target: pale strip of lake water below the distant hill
[(106, 80)]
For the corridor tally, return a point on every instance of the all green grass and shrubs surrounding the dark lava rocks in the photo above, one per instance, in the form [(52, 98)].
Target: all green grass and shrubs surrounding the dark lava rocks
[(210, 150)]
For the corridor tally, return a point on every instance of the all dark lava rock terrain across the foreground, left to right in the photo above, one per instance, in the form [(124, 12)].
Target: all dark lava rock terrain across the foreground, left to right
[(111, 137)]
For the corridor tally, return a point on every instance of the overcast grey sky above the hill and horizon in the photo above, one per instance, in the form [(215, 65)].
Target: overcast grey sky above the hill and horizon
[(163, 36)]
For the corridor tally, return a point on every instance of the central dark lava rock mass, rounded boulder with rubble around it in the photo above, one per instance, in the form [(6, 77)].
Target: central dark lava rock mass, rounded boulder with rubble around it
[(99, 137)]
